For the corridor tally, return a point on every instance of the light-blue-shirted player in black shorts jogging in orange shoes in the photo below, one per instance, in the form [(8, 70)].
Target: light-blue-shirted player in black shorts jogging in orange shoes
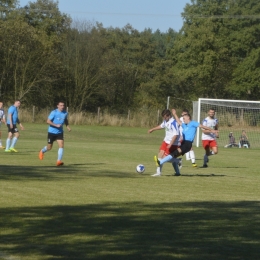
[(56, 120)]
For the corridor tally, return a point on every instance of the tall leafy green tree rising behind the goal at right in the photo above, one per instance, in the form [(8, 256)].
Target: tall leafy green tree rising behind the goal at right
[(215, 38)]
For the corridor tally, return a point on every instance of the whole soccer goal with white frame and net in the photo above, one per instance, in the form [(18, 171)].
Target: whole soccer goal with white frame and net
[(234, 116)]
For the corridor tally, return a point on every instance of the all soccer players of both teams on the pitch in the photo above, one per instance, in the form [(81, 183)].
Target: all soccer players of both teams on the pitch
[(179, 135)]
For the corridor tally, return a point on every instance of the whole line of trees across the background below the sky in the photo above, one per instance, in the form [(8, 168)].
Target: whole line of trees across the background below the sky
[(45, 56)]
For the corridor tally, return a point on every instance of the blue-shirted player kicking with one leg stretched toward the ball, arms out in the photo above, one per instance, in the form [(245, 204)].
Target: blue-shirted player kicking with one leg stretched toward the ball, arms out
[(189, 132)]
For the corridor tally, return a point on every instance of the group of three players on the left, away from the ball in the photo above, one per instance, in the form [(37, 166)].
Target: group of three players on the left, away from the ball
[(56, 119)]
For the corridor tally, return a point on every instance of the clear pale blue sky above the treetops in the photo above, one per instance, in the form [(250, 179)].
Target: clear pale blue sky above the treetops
[(141, 14)]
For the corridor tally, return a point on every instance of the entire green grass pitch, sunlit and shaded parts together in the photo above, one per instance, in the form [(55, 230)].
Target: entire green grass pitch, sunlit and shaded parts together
[(98, 207)]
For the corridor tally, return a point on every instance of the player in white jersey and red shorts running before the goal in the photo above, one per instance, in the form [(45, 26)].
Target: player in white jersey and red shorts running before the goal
[(208, 138)]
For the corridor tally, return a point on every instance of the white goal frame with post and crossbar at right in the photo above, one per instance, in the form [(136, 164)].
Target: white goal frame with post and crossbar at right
[(233, 104)]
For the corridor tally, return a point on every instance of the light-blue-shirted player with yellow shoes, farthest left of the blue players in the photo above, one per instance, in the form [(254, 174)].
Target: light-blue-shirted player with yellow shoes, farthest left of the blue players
[(13, 133)]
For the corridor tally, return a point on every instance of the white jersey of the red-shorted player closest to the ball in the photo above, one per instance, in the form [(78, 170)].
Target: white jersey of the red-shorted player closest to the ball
[(171, 129)]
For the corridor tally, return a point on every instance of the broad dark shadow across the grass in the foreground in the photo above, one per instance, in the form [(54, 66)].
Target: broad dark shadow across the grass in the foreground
[(202, 230)]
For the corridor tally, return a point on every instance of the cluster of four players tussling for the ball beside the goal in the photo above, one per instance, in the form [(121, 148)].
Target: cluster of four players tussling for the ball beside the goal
[(179, 136)]
